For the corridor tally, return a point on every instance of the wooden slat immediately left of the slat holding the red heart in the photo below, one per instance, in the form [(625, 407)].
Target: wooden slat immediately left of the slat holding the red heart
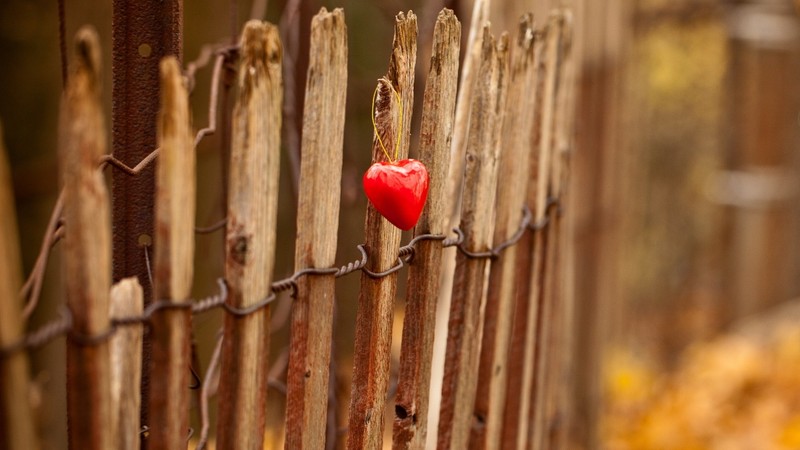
[(317, 223)]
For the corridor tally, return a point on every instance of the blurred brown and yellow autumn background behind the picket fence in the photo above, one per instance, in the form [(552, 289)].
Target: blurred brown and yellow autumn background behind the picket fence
[(683, 205)]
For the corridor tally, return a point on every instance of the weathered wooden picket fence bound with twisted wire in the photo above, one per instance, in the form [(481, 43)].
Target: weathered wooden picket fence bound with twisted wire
[(502, 147)]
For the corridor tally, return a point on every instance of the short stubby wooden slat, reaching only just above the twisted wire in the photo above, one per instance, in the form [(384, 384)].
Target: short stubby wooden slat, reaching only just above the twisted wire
[(127, 300)]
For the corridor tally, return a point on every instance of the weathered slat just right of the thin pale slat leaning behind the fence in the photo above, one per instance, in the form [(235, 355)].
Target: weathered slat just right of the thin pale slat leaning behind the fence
[(480, 181)]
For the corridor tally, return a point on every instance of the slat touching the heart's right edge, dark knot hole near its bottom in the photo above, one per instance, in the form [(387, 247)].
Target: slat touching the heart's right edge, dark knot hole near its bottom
[(411, 402)]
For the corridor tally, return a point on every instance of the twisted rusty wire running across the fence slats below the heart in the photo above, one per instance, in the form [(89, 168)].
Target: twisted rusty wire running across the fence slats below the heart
[(63, 325)]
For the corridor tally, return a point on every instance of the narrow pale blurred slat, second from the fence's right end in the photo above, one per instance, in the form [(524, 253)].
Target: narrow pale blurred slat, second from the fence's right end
[(542, 291)]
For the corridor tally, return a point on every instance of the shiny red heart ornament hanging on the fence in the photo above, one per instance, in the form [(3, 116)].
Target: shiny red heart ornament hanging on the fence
[(398, 190)]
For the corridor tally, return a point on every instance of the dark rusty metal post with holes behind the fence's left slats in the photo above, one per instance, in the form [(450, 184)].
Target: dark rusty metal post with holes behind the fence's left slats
[(143, 32)]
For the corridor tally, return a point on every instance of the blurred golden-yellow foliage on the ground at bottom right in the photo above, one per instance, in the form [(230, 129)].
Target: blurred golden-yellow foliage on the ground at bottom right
[(730, 394)]
